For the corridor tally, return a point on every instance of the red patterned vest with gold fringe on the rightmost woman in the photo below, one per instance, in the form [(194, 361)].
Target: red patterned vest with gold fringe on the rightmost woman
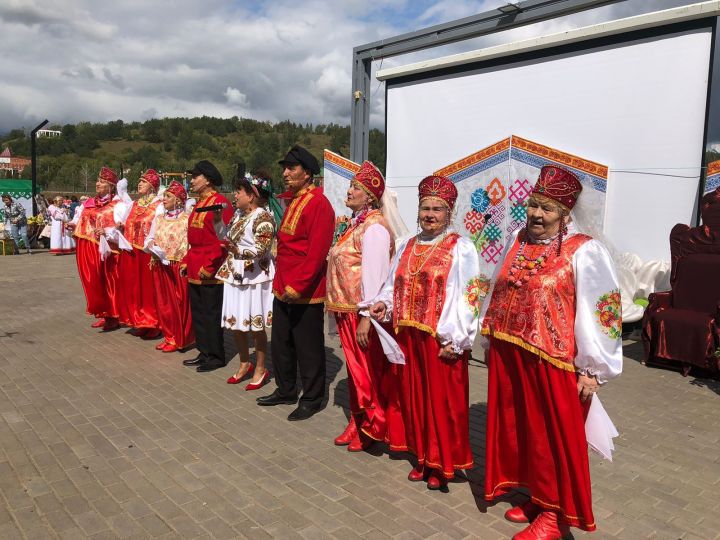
[(539, 316)]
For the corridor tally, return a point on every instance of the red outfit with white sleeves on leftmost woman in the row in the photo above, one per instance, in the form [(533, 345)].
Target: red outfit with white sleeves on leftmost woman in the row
[(98, 275)]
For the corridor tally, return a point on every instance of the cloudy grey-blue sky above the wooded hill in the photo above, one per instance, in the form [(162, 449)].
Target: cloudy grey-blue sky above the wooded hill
[(95, 60)]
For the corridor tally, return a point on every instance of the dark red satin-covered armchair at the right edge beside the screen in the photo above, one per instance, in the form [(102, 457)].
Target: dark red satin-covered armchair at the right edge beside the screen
[(683, 325)]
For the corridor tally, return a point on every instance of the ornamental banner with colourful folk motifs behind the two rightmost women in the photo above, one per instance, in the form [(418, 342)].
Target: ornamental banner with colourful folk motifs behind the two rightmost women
[(494, 183)]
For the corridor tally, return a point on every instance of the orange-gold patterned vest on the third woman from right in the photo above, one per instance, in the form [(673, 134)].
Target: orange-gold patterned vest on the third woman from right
[(344, 278)]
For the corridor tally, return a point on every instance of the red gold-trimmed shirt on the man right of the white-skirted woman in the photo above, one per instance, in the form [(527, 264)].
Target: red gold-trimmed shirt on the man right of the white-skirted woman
[(303, 241)]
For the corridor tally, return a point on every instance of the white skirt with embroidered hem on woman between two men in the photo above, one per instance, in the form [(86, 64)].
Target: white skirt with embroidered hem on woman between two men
[(247, 308)]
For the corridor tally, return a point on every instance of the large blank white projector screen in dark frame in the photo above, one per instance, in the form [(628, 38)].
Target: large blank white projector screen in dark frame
[(637, 106)]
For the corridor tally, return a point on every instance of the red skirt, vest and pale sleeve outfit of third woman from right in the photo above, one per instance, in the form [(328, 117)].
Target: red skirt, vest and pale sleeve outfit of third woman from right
[(358, 266)]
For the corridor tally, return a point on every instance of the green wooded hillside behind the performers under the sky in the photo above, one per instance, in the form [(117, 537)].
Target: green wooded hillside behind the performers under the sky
[(71, 162)]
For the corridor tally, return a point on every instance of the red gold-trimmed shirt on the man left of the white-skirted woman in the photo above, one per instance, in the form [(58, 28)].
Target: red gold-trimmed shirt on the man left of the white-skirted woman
[(206, 253)]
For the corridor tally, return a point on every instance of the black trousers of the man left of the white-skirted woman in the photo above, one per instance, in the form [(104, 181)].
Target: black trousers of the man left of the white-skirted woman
[(206, 311)]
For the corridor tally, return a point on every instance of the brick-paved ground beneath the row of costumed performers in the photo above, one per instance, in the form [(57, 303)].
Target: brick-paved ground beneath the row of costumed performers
[(103, 437)]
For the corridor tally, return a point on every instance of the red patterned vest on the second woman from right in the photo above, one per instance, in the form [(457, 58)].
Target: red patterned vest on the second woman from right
[(420, 283)]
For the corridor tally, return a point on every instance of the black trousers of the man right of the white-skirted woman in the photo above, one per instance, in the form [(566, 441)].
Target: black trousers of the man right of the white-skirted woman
[(298, 342)]
